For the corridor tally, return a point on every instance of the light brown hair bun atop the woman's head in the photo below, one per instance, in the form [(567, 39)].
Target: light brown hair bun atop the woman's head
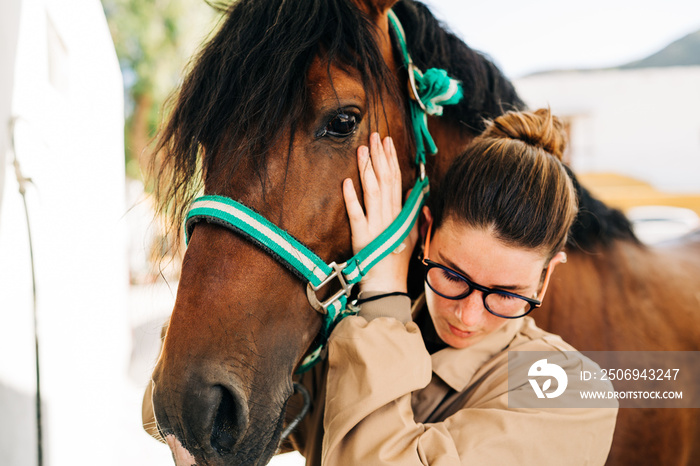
[(539, 128)]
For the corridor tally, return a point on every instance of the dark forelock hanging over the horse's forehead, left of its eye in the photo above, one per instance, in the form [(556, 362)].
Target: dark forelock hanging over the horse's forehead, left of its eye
[(247, 87)]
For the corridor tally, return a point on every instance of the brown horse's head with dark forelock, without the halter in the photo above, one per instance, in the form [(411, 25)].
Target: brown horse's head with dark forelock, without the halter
[(271, 115)]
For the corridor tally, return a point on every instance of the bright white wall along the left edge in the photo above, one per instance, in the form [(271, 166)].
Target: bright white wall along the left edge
[(68, 95)]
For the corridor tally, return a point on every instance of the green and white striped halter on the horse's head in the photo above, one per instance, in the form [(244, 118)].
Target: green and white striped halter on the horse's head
[(428, 92)]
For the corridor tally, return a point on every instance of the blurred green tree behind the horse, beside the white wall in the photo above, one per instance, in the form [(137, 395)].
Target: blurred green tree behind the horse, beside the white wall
[(154, 40)]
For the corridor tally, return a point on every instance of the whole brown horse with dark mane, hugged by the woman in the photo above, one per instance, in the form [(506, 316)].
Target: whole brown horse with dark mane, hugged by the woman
[(271, 114)]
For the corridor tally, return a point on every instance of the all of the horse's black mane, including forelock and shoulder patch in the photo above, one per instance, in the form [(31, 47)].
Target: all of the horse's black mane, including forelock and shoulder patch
[(234, 105)]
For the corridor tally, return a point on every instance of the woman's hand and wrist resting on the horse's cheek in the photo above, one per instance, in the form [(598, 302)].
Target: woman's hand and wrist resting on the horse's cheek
[(381, 185)]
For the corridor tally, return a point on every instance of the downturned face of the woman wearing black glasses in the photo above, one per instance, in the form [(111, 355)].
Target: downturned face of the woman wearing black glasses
[(484, 259)]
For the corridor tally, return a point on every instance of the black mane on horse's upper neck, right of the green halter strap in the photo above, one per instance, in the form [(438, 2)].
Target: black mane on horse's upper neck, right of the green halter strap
[(487, 92)]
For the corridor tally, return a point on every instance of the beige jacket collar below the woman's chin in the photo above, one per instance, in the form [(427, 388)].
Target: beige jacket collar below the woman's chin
[(457, 367)]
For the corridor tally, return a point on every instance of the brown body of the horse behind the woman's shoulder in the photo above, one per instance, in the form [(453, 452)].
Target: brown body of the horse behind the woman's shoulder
[(630, 297)]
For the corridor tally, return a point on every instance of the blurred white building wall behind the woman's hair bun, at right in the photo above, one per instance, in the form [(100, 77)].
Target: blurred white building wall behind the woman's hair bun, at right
[(642, 123)]
